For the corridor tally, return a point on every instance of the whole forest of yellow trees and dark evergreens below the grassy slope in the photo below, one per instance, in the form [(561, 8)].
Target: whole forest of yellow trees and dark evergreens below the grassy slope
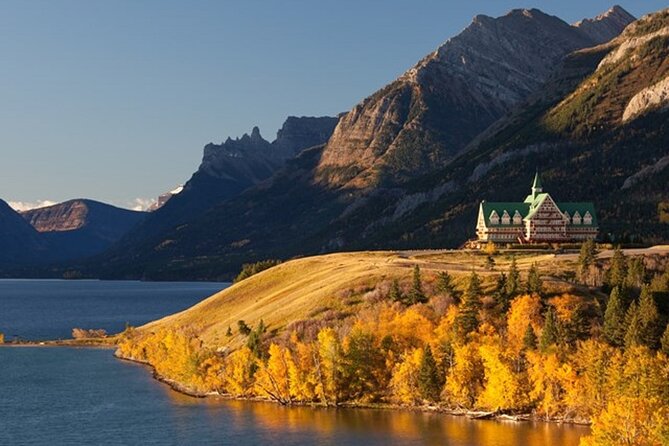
[(595, 352)]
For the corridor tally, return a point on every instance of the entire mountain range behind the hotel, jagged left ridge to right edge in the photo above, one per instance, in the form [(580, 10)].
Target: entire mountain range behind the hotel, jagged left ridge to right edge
[(407, 166)]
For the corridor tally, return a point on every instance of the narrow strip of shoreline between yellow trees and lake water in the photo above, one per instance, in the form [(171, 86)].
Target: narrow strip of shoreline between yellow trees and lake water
[(472, 415)]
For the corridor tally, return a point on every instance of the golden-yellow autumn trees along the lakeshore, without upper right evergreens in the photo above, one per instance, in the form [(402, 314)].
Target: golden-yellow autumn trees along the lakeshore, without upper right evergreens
[(378, 354)]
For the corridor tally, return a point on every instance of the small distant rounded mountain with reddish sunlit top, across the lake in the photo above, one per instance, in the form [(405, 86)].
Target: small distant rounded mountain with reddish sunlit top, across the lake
[(81, 228)]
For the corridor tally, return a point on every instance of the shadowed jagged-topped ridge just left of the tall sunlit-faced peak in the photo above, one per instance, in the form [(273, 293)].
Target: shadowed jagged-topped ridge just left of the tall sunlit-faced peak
[(227, 169)]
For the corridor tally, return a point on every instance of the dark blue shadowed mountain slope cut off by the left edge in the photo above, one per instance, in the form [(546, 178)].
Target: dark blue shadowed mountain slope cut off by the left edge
[(20, 243)]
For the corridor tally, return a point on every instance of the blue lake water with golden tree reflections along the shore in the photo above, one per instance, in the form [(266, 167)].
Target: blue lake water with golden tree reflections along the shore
[(71, 396)]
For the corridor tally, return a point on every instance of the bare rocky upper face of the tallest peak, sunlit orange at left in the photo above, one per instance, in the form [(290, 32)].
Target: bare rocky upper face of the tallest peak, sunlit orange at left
[(423, 119)]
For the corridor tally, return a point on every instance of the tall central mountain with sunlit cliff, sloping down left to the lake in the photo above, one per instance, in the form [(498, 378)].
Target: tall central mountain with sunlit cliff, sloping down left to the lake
[(398, 171)]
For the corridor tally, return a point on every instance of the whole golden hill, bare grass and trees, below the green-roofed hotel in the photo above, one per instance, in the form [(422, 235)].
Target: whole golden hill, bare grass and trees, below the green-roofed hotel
[(568, 337)]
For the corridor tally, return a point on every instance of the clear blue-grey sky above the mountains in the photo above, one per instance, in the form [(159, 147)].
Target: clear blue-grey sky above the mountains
[(114, 100)]
